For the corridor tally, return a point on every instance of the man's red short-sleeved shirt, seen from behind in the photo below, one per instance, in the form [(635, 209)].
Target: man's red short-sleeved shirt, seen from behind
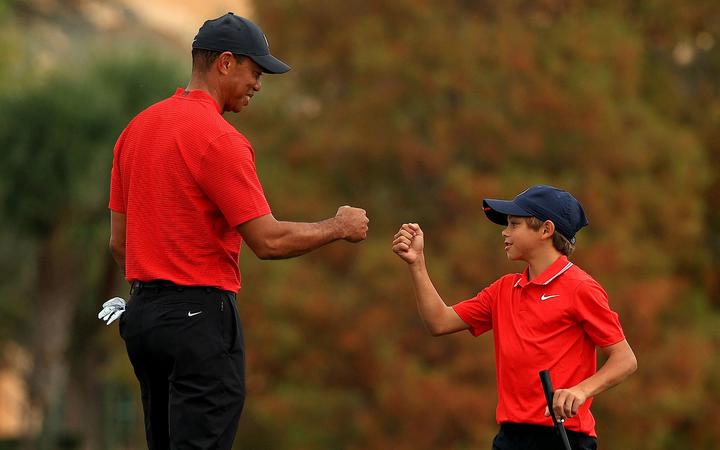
[(185, 178)]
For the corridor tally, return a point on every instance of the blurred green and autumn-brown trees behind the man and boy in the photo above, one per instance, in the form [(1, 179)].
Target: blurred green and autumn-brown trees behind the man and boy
[(414, 110)]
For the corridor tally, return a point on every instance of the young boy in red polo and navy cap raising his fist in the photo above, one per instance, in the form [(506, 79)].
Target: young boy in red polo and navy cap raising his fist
[(551, 316)]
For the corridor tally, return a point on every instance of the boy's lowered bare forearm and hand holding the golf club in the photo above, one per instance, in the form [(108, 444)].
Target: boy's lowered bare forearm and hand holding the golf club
[(620, 364)]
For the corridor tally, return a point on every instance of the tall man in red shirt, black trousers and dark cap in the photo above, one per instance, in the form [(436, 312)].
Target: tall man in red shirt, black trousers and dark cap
[(184, 195)]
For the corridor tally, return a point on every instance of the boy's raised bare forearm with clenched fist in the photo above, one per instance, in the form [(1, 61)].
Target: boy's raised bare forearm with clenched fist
[(439, 318)]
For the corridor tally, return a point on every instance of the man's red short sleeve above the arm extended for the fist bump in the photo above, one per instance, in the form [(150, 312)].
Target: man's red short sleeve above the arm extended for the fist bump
[(228, 177)]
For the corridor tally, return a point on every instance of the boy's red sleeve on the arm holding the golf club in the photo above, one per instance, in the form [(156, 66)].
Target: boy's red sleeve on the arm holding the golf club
[(593, 311)]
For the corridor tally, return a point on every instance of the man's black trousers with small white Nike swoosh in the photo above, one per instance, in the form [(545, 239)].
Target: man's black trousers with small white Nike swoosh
[(186, 346)]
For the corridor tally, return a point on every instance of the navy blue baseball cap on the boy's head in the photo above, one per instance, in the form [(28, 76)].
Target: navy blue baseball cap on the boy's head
[(543, 202)]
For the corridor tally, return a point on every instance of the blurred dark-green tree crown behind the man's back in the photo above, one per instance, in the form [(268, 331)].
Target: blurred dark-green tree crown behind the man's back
[(58, 137)]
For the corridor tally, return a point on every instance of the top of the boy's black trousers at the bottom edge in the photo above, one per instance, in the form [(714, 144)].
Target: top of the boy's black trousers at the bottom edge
[(520, 436)]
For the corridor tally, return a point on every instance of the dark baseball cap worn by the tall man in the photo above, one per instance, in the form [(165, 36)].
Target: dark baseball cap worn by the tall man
[(231, 33)]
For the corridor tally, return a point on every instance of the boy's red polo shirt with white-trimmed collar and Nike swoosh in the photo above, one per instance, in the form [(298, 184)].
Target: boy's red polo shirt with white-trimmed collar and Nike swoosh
[(553, 322)]
